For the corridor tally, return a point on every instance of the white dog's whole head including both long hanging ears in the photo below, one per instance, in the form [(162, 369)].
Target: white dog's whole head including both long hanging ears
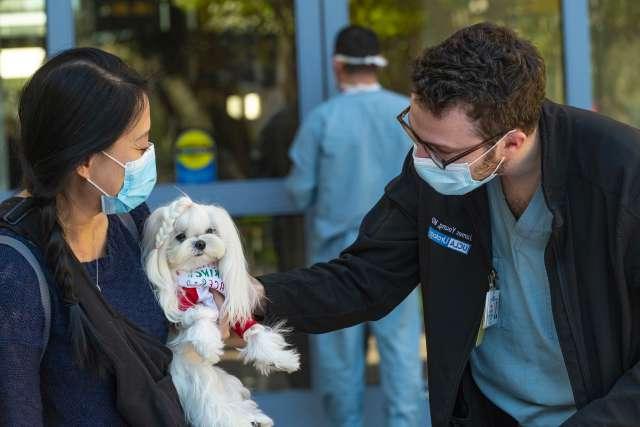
[(184, 236)]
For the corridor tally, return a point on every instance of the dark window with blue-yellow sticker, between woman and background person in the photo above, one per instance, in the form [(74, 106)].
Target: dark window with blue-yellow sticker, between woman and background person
[(221, 67)]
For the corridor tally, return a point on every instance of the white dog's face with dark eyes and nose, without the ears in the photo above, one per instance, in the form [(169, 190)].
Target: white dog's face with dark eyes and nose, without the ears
[(195, 239)]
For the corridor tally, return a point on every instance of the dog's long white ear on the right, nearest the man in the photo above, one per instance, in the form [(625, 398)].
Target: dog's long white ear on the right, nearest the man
[(241, 297)]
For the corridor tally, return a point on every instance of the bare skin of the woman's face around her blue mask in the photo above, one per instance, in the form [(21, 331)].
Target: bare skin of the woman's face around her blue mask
[(106, 172)]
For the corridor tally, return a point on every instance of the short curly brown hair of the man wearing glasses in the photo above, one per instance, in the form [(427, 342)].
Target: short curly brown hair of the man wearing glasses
[(498, 77)]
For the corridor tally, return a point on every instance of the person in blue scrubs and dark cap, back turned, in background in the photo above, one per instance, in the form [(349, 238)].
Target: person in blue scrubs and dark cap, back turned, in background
[(343, 155)]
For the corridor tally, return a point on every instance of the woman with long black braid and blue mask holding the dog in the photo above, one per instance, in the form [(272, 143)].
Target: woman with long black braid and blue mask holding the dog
[(85, 155)]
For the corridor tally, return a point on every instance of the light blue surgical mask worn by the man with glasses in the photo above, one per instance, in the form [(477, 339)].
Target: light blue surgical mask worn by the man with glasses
[(455, 180)]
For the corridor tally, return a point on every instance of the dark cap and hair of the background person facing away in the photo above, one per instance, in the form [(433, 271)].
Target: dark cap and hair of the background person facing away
[(357, 41)]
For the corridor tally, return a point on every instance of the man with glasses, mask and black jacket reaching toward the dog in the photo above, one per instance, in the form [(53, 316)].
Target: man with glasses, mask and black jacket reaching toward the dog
[(531, 281)]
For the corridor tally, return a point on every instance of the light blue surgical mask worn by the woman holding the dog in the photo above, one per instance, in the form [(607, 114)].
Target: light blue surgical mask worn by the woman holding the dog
[(139, 180)]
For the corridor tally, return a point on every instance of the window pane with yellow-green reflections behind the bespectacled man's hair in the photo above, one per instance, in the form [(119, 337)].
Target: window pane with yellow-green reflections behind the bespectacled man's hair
[(406, 28)]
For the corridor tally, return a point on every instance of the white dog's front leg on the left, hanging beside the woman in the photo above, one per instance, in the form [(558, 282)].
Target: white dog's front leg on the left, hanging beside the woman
[(200, 329)]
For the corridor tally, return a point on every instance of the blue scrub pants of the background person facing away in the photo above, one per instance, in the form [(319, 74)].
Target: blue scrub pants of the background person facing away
[(339, 368)]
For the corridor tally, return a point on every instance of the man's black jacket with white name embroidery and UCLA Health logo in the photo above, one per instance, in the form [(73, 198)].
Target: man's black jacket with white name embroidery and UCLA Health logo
[(591, 183)]
